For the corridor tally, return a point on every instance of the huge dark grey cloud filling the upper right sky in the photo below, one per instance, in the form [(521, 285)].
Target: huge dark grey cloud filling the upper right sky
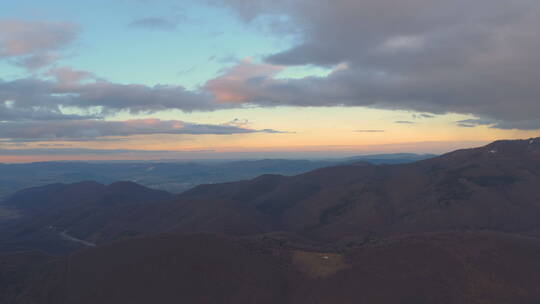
[(432, 56)]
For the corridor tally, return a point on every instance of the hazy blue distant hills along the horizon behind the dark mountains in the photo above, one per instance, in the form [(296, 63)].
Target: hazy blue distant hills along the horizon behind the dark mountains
[(169, 176)]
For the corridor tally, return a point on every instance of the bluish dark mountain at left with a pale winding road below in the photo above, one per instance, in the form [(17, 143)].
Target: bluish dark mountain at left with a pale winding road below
[(48, 215)]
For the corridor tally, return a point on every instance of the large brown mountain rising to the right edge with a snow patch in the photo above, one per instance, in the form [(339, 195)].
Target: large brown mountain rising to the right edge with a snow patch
[(493, 187)]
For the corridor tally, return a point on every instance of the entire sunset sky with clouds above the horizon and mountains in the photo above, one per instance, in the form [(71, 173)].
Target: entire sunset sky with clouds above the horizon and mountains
[(180, 79)]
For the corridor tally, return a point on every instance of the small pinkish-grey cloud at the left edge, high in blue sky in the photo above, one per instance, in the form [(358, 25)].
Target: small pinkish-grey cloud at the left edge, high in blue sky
[(33, 45)]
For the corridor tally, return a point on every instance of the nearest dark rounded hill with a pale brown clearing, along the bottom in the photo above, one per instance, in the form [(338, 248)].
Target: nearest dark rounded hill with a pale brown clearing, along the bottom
[(452, 268)]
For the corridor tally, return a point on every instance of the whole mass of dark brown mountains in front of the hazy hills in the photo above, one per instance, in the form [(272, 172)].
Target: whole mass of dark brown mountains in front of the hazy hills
[(458, 228)]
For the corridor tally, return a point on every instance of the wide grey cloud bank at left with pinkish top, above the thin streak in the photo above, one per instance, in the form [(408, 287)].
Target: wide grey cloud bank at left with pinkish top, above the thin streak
[(38, 98)]
